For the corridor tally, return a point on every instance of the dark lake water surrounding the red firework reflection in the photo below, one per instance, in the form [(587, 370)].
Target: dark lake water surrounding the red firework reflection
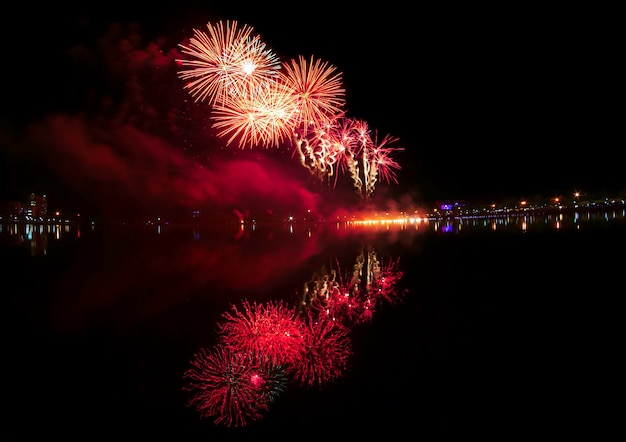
[(508, 331)]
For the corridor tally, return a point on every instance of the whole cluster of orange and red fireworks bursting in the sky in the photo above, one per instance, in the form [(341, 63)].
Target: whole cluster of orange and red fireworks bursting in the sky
[(259, 101)]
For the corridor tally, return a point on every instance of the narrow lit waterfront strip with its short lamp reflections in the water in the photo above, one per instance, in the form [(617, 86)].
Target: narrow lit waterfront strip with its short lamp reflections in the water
[(37, 236)]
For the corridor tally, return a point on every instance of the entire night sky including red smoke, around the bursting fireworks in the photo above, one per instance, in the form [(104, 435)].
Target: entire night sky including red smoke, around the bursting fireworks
[(486, 102)]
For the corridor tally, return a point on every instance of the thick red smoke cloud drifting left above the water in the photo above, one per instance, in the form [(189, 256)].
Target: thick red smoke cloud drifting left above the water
[(122, 167)]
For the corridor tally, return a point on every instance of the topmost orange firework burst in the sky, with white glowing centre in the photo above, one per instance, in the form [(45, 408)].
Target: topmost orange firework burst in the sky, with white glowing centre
[(226, 60)]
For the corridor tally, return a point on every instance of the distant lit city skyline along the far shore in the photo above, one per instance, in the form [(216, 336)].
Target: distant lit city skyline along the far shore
[(36, 209)]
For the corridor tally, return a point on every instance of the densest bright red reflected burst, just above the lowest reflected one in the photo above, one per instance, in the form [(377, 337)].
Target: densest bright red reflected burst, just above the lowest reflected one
[(272, 330)]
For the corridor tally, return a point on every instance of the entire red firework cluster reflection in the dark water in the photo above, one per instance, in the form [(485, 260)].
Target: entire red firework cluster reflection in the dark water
[(263, 346)]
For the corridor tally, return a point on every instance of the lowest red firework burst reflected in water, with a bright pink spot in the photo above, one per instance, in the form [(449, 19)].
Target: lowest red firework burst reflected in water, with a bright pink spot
[(231, 387)]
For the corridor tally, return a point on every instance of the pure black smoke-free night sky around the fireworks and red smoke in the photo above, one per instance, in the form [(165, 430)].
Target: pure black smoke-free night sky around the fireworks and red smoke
[(515, 101)]
